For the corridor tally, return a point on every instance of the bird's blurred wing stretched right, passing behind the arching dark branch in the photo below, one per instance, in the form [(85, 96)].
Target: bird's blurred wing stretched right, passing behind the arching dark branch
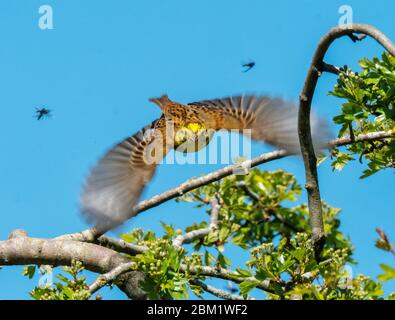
[(272, 120)]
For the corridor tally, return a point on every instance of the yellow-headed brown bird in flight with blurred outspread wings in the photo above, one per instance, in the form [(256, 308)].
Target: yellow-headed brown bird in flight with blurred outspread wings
[(116, 182)]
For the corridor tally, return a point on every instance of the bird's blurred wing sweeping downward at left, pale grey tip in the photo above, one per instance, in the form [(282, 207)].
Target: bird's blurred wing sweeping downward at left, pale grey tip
[(115, 184)]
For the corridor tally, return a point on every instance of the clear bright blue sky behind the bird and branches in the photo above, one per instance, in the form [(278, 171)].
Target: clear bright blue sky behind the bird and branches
[(102, 61)]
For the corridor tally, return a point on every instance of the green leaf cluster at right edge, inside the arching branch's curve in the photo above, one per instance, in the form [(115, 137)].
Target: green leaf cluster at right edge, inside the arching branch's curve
[(369, 106)]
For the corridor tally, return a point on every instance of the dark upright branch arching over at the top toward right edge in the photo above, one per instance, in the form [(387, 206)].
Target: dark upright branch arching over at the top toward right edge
[(304, 130)]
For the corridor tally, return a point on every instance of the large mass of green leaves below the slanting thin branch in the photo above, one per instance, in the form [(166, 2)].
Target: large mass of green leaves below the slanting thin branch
[(255, 215)]
